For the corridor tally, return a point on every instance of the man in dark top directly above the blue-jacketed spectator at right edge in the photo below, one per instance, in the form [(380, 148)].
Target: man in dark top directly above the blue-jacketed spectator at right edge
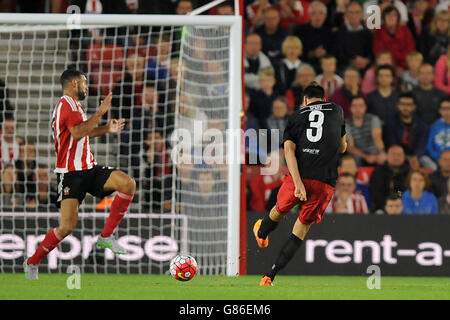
[(427, 96)]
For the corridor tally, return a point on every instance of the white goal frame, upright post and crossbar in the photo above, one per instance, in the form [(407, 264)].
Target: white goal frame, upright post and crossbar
[(27, 22)]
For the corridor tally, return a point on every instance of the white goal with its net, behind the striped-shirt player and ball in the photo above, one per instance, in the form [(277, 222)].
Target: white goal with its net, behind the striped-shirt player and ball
[(36, 48)]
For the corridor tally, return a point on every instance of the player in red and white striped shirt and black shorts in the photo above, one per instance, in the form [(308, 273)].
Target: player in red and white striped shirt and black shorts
[(78, 172)]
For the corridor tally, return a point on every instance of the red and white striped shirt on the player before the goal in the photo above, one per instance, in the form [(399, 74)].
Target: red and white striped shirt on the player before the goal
[(71, 154)]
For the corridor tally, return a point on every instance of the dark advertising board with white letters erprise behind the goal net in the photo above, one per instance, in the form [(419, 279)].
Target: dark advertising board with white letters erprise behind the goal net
[(151, 241)]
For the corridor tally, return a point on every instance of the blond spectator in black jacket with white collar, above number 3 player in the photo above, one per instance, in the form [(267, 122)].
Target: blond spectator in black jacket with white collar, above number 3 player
[(286, 69)]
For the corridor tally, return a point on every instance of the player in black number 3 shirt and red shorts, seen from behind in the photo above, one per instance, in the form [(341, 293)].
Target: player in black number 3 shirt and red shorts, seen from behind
[(313, 140)]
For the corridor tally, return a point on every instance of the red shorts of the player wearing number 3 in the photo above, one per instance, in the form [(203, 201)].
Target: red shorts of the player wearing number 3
[(318, 195)]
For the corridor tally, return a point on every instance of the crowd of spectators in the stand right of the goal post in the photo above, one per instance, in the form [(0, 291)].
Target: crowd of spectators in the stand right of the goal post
[(392, 83)]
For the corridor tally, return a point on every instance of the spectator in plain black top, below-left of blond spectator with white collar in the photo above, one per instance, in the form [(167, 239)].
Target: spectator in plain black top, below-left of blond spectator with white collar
[(261, 100)]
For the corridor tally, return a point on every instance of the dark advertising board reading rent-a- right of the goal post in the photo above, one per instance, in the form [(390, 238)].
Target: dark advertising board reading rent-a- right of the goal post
[(348, 244)]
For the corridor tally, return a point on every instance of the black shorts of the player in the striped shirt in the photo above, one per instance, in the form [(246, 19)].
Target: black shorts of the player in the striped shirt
[(75, 184)]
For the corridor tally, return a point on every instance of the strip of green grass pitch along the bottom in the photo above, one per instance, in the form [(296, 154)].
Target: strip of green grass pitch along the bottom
[(163, 287)]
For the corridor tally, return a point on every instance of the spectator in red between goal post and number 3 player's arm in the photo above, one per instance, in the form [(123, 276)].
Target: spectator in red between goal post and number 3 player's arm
[(261, 186)]
